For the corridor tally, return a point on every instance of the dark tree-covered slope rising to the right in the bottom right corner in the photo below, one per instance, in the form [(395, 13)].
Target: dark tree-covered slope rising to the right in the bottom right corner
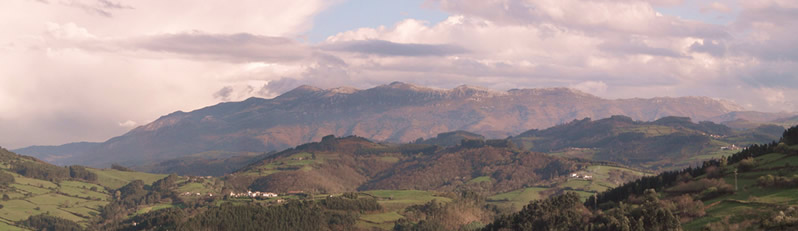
[(753, 189)]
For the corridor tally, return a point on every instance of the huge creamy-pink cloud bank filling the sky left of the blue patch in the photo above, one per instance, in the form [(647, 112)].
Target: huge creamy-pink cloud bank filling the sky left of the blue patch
[(71, 69)]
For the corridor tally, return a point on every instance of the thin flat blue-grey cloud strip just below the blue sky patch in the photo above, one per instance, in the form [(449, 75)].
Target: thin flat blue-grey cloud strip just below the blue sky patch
[(387, 48)]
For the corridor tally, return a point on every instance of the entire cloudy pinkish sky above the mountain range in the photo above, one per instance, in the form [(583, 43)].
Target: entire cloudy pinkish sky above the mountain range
[(88, 70)]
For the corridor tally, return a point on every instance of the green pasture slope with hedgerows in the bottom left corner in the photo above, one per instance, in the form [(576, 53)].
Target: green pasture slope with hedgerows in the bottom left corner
[(31, 187)]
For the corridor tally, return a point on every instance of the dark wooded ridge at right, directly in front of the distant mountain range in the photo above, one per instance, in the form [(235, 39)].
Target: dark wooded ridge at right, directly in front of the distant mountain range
[(666, 143)]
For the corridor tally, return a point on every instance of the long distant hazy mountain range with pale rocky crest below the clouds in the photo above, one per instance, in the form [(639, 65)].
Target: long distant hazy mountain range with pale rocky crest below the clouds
[(396, 112)]
